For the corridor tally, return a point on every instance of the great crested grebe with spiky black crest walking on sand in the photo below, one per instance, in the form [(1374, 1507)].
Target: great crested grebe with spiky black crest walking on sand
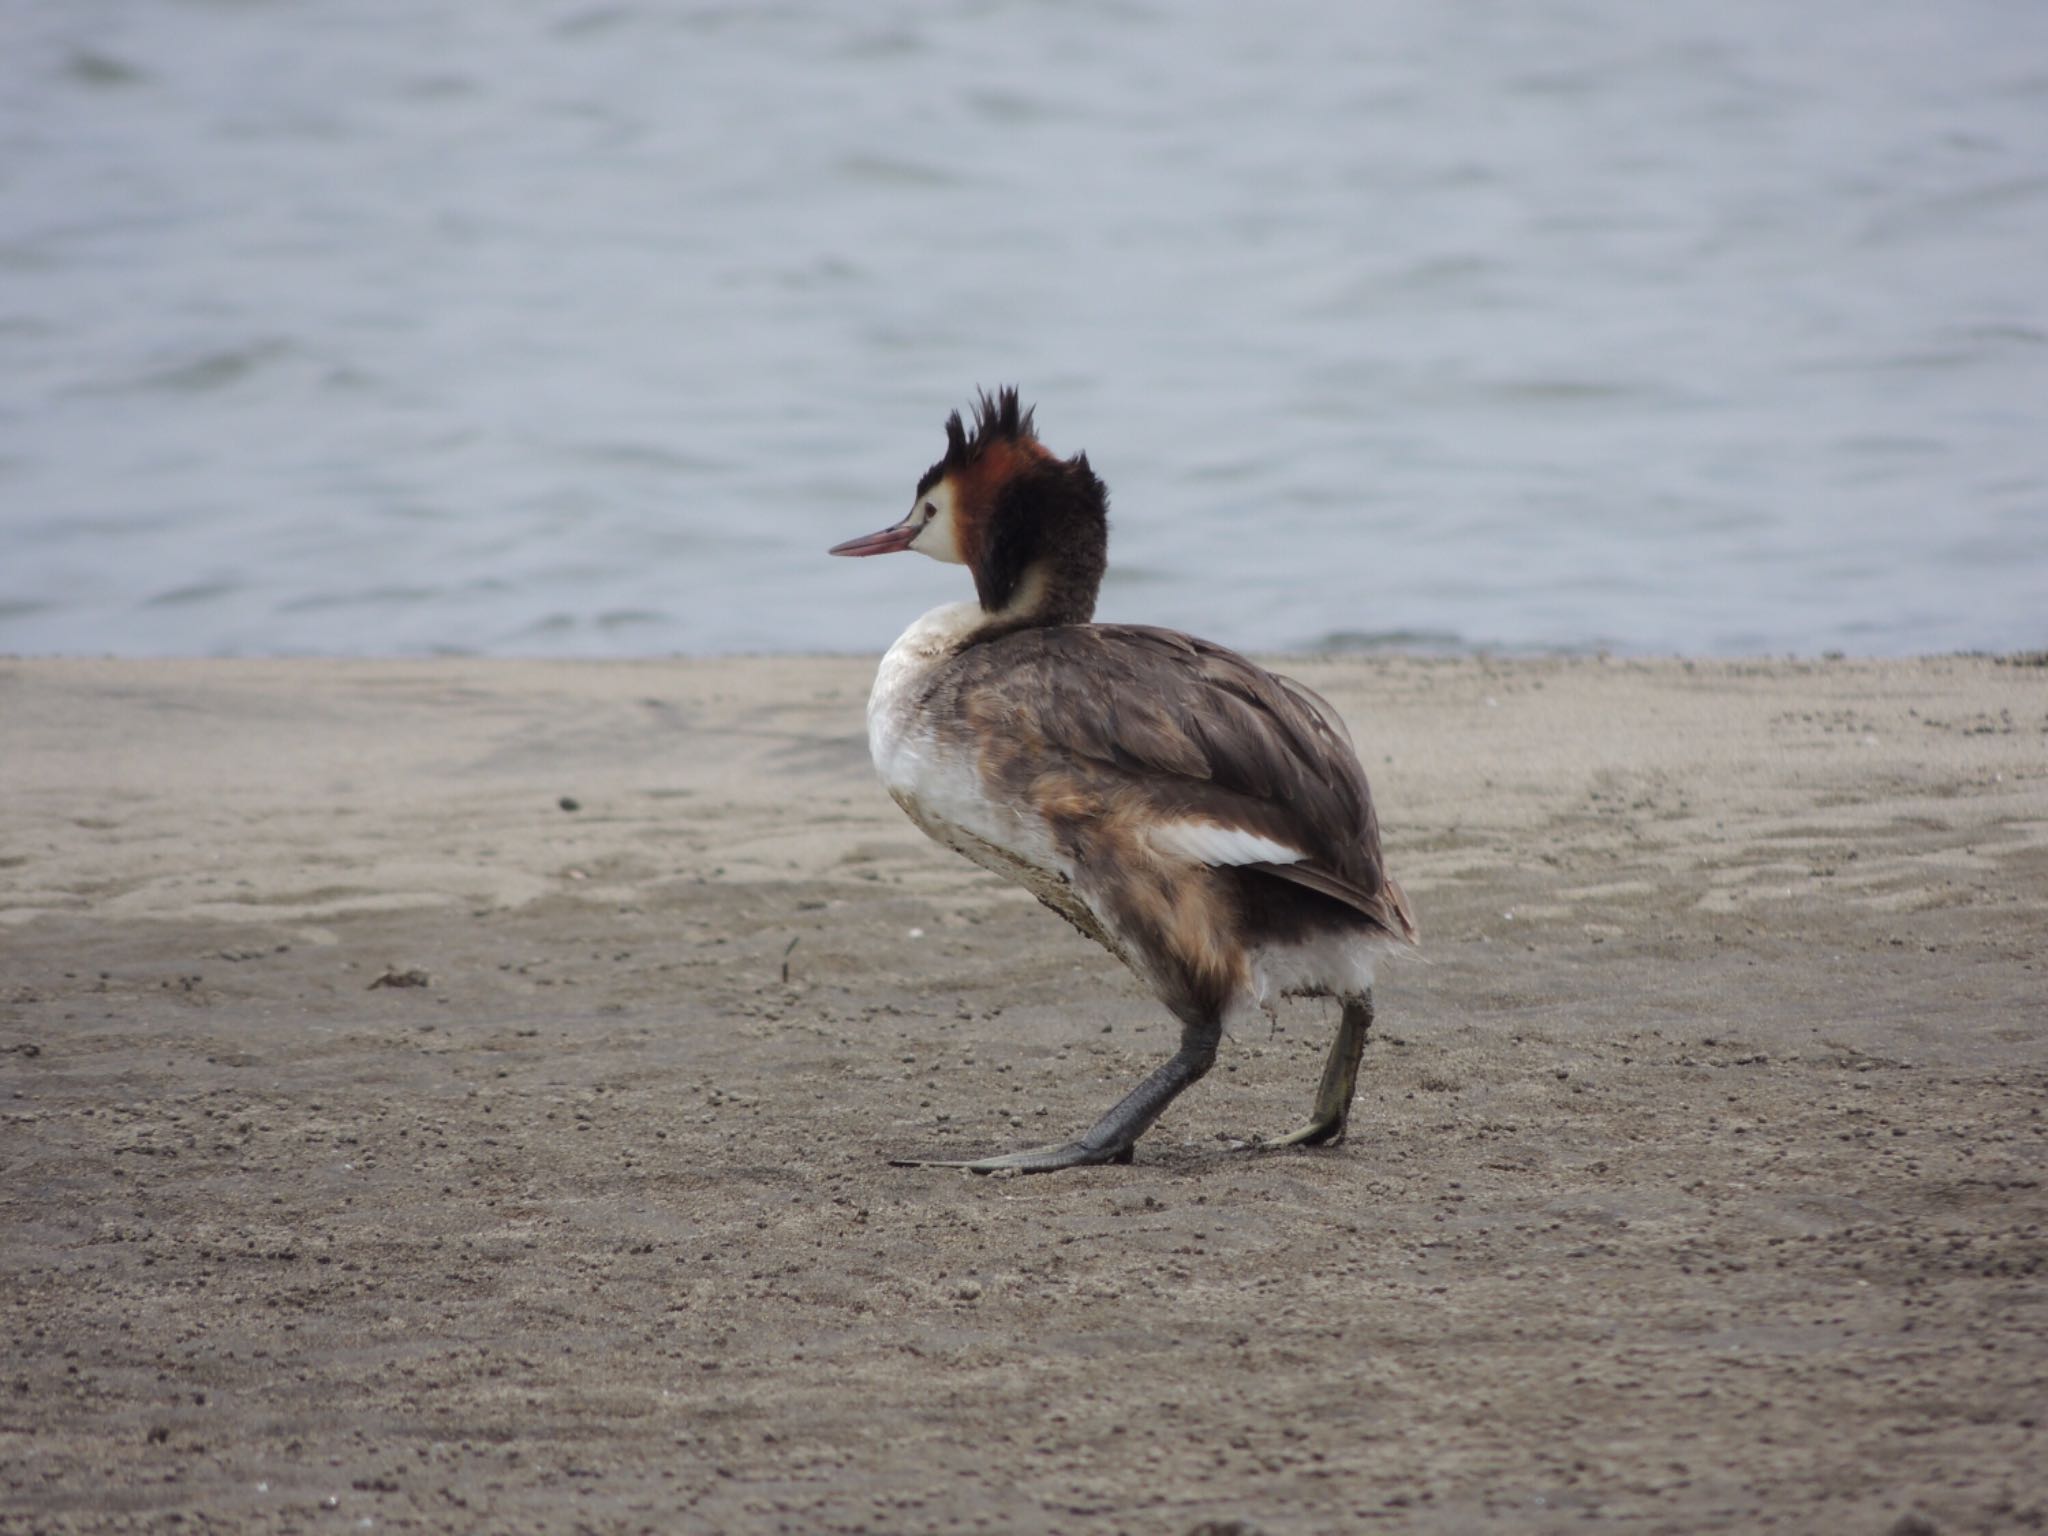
[(1201, 818)]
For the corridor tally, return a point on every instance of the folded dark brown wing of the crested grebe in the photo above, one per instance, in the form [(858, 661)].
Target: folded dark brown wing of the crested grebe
[(1189, 730)]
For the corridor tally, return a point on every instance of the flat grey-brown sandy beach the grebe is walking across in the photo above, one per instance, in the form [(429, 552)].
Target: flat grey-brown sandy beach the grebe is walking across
[(458, 1095)]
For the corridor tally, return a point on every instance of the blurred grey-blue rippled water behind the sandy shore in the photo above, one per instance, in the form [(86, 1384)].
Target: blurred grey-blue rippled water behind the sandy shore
[(529, 327)]
